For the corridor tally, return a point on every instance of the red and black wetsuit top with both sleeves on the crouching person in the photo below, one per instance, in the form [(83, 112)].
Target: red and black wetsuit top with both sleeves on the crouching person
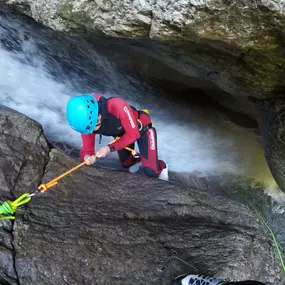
[(118, 119)]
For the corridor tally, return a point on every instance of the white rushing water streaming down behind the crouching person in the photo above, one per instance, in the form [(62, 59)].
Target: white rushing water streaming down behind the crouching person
[(190, 139)]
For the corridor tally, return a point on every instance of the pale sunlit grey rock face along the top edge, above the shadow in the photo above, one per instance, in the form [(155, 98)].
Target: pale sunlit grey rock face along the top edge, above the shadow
[(158, 19)]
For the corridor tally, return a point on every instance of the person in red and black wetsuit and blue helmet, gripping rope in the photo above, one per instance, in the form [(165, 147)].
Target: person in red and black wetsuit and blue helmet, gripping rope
[(93, 114)]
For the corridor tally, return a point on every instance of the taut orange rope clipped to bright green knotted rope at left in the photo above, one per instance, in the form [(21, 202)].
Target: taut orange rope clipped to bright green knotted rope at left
[(8, 208)]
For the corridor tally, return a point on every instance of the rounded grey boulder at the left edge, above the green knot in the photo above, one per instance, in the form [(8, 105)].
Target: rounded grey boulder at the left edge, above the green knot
[(23, 150)]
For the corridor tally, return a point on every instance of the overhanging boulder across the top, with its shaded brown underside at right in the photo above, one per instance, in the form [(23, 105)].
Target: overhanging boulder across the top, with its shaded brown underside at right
[(237, 45)]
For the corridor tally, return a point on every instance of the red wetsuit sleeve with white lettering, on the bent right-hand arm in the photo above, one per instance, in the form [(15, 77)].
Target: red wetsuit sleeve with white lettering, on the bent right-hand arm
[(125, 114)]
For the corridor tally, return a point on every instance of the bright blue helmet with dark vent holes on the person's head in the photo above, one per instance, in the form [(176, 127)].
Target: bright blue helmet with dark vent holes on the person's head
[(82, 113)]
